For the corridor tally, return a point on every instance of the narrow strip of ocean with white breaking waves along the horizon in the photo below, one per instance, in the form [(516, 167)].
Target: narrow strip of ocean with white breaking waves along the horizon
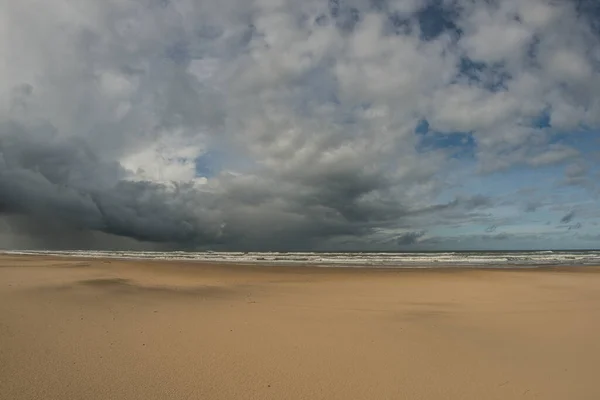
[(475, 259)]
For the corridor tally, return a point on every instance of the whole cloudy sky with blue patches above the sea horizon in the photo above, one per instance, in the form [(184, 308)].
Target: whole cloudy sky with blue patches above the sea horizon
[(300, 125)]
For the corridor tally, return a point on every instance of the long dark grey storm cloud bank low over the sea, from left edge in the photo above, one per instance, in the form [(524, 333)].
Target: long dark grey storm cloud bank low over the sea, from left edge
[(62, 181)]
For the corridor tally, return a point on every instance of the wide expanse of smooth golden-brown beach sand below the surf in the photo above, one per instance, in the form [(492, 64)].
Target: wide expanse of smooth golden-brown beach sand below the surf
[(107, 329)]
